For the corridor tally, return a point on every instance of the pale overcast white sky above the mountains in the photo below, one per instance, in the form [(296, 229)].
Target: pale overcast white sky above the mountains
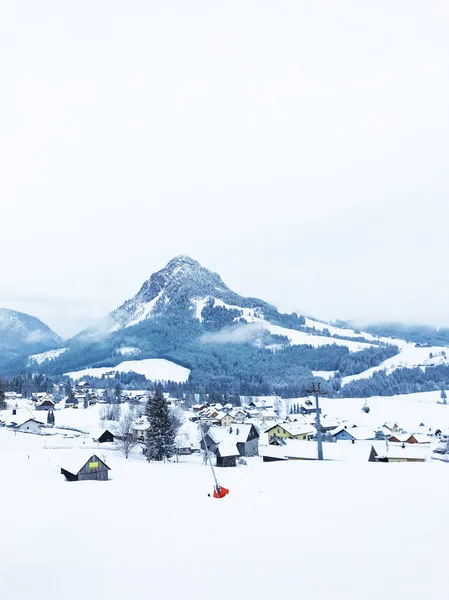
[(299, 148)]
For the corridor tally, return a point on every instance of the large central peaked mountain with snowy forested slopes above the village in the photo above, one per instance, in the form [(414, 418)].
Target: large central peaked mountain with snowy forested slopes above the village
[(186, 315)]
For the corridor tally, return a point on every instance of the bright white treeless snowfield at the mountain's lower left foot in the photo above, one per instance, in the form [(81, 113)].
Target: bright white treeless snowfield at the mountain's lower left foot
[(154, 369)]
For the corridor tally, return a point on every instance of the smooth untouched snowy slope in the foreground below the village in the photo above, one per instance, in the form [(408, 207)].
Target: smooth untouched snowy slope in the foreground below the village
[(313, 530)]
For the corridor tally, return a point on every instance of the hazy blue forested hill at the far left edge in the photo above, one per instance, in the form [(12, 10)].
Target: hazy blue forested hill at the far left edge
[(22, 335)]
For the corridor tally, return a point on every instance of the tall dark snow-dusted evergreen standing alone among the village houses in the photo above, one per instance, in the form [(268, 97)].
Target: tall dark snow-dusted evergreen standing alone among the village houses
[(161, 432)]
